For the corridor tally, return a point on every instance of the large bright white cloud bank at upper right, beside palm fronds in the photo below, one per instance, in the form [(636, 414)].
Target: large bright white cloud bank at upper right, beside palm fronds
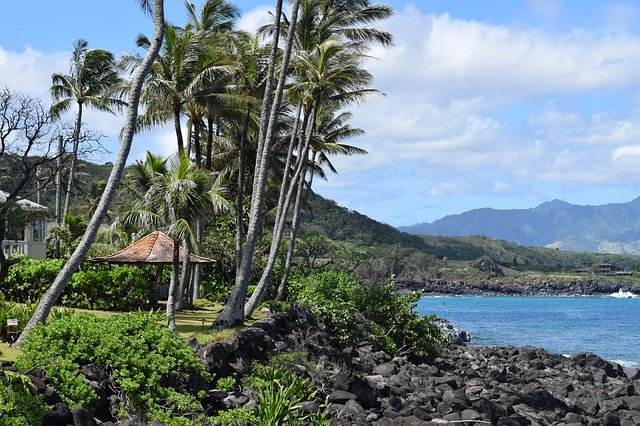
[(445, 55)]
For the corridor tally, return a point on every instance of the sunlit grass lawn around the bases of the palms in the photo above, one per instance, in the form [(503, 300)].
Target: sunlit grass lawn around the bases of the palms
[(196, 322)]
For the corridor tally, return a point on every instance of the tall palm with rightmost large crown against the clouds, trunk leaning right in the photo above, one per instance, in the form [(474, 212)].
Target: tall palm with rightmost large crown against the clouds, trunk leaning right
[(330, 46)]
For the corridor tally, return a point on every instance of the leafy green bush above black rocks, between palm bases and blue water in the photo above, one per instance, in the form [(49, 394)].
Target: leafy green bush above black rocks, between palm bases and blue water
[(378, 313)]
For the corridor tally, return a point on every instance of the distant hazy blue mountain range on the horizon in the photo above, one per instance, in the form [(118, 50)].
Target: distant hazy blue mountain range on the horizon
[(608, 228)]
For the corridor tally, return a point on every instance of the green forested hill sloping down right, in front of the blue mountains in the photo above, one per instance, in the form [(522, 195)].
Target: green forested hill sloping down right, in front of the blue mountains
[(427, 252)]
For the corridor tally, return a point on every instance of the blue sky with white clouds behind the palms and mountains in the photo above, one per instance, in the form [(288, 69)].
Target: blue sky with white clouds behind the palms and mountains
[(502, 104)]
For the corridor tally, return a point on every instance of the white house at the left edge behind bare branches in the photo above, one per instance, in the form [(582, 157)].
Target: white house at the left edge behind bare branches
[(30, 239)]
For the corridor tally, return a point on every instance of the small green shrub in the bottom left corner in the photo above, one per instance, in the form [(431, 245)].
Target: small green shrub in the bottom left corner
[(20, 405)]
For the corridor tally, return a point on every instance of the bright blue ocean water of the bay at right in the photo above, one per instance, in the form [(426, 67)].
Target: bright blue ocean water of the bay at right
[(607, 326)]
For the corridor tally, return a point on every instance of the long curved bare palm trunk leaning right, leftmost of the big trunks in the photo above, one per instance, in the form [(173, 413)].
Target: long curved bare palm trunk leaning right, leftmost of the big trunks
[(53, 293)]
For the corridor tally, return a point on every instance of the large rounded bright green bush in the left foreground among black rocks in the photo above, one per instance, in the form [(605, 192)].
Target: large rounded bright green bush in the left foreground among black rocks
[(152, 369)]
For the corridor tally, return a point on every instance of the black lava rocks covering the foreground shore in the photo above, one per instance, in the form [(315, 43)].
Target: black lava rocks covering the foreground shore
[(362, 385)]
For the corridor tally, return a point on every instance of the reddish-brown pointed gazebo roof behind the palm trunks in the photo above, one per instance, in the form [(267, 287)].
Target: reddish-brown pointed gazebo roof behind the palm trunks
[(155, 248)]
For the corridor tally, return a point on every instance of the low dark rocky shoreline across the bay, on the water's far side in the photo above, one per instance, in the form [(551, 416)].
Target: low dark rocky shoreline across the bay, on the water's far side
[(518, 288)]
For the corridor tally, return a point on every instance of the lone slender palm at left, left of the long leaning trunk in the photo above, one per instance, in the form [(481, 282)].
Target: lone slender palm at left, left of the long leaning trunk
[(93, 81)]
